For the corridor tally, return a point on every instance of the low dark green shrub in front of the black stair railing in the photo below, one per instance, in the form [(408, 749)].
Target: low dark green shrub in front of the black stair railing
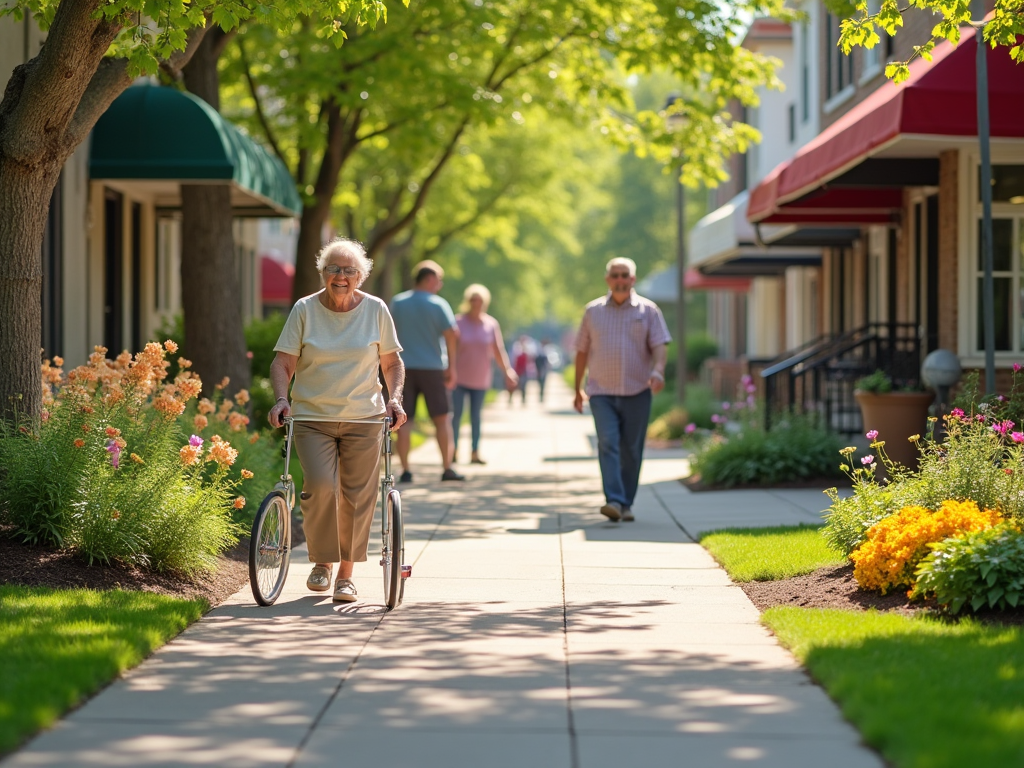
[(793, 451)]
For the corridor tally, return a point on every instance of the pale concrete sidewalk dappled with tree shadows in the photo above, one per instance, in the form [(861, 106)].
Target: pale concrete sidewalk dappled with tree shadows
[(534, 634)]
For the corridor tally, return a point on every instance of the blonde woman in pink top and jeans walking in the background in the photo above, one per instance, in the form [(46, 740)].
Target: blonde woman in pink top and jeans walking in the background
[(480, 344)]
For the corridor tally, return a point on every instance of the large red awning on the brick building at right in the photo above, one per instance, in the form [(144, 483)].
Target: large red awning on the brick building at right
[(823, 184)]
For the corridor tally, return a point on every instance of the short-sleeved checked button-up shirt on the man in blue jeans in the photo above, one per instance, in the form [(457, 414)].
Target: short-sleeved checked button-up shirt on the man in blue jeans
[(619, 340)]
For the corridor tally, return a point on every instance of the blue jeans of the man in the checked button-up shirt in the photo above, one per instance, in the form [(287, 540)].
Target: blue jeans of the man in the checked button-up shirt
[(622, 430)]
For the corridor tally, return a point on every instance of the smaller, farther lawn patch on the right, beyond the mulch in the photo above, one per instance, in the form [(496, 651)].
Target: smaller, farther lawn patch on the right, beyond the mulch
[(769, 554)]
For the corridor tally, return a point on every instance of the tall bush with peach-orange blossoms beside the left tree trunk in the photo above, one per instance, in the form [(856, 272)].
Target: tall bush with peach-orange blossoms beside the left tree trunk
[(109, 472)]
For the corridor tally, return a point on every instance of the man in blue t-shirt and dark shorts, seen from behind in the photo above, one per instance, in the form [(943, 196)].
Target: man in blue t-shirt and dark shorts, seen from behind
[(424, 321)]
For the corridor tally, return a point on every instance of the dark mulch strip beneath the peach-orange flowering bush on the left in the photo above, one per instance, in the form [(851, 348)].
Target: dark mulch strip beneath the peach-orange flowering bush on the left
[(41, 567)]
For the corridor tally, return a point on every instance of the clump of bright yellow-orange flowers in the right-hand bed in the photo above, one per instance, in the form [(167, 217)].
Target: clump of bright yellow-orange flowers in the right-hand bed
[(897, 545)]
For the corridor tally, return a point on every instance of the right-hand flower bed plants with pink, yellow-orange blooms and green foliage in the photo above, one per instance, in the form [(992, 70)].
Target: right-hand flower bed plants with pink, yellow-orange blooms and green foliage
[(951, 530)]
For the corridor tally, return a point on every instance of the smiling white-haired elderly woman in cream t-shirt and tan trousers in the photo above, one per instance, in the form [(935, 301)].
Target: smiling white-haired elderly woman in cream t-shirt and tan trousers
[(333, 345)]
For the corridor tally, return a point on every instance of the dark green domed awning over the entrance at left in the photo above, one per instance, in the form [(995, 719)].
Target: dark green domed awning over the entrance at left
[(157, 135)]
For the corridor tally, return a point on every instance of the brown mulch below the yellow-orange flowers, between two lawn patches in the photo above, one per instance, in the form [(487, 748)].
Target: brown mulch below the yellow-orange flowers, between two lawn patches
[(834, 587)]
